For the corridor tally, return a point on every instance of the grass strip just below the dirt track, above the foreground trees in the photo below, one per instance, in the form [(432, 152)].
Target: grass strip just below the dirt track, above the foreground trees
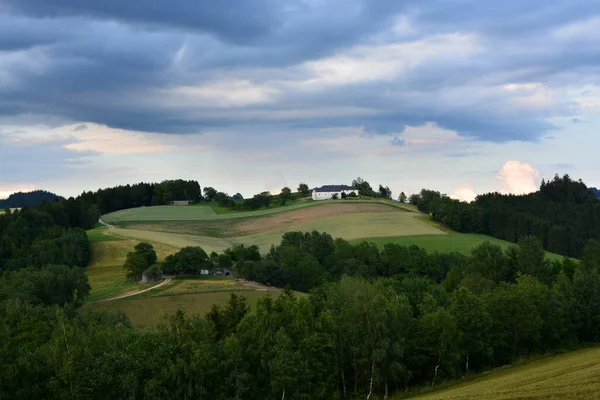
[(145, 312)]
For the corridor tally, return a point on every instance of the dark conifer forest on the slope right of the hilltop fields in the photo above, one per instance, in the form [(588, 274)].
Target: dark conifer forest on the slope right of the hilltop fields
[(564, 215)]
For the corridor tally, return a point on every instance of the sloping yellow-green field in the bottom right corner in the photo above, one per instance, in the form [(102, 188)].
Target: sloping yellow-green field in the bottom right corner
[(574, 375)]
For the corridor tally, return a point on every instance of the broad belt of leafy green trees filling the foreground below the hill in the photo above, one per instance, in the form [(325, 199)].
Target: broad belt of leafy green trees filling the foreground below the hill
[(397, 323)]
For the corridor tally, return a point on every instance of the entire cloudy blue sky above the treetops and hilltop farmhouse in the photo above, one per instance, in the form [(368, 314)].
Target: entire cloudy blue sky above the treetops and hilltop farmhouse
[(461, 96)]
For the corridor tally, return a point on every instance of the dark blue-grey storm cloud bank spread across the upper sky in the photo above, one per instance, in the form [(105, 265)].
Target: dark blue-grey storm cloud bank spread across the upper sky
[(104, 61)]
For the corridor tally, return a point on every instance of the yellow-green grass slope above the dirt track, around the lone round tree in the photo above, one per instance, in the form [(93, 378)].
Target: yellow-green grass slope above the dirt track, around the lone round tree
[(105, 273)]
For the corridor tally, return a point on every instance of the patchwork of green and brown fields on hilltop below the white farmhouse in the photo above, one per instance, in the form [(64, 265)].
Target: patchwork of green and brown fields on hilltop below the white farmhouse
[(201, 226)]
